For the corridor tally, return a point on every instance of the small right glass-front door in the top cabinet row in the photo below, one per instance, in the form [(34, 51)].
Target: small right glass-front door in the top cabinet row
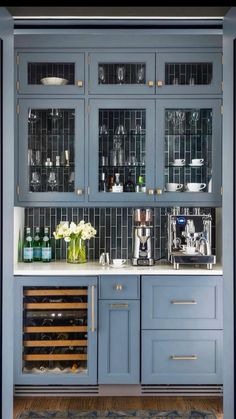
[(182, 72)]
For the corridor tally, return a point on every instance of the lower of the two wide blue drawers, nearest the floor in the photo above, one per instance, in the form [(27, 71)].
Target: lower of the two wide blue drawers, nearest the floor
[(182, 357)]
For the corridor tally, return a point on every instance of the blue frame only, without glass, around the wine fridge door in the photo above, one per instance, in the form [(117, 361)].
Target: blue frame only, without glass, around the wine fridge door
[(47, 378)]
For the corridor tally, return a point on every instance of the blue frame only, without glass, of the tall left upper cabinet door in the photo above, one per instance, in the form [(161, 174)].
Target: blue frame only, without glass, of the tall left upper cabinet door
[(42, 103)]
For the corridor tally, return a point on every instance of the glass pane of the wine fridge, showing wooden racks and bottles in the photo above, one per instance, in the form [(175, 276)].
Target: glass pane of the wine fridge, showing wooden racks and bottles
[(55, 330)]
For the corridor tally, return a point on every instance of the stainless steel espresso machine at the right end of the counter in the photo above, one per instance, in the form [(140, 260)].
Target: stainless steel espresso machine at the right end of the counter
[(189, 239)]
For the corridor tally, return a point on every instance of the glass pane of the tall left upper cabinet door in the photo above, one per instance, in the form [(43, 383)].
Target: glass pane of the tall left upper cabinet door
[(51, 163)]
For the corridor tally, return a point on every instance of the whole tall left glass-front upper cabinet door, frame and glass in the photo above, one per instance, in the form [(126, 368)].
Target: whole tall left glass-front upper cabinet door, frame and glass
[(51, 150)]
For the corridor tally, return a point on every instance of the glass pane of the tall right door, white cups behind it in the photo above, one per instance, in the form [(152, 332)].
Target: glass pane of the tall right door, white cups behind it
[(188, 150)]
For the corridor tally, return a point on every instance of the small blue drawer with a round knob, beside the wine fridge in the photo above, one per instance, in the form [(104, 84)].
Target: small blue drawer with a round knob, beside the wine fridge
[(119, 287)]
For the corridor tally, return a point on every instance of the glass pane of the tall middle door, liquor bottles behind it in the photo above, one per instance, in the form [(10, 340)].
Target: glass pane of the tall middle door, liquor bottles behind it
[(122, 150)]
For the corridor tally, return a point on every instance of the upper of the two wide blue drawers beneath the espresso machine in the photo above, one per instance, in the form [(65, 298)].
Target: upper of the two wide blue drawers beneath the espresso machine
[(182, 302)]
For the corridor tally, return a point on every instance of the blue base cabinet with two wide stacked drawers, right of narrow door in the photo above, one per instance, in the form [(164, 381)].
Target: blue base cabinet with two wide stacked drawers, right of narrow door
[(182, 321)]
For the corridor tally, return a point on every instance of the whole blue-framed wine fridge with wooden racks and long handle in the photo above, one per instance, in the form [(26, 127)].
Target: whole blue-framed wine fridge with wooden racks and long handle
[(55, 330)]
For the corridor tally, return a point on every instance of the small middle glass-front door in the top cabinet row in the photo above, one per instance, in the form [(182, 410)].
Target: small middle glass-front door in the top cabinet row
[(122, 73)]
